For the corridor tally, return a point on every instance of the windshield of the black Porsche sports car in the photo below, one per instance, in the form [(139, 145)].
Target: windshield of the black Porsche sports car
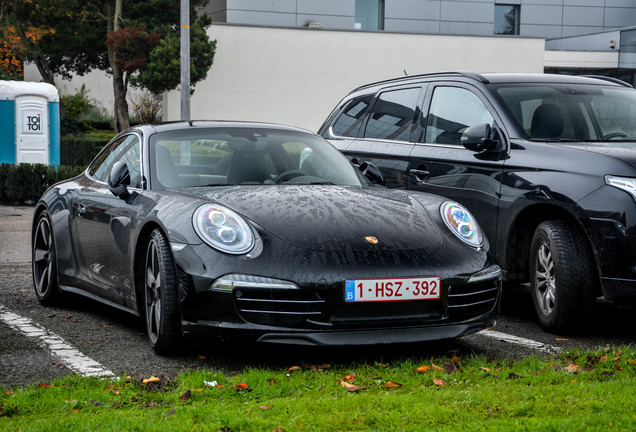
[(246, 156)]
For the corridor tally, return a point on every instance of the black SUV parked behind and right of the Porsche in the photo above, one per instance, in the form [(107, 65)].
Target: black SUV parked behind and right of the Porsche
[(546, 163)]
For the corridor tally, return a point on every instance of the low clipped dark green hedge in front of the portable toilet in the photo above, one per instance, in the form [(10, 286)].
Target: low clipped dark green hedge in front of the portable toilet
[(25, 183)]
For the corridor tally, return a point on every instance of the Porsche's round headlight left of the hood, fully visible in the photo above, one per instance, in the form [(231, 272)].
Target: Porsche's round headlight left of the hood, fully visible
[(223, 229)]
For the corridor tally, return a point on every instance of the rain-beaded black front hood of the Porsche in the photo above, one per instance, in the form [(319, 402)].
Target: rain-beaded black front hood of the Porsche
[(332, 217)]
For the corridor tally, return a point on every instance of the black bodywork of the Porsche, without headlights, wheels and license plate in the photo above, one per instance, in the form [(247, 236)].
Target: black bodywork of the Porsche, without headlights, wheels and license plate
[(308, 238)]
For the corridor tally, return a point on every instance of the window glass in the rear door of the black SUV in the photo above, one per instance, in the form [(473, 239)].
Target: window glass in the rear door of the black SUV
[(393, 115)]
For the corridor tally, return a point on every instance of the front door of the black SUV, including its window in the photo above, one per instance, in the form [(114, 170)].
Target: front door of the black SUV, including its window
[(440, 164)]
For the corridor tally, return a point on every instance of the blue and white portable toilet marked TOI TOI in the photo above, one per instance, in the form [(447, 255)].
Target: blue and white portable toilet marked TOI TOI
[(29, 123)]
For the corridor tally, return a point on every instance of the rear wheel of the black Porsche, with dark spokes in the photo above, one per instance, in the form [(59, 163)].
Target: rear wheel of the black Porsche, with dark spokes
[(44, 261)]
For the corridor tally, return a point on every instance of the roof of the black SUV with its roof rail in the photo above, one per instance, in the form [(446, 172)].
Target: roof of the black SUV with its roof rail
[(496, 78)]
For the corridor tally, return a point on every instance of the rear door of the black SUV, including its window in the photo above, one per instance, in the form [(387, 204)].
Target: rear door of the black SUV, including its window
[(386, 136)]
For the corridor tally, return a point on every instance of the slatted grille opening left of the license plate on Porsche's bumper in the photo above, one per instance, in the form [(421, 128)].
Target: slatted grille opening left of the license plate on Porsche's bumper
[(278, 307)]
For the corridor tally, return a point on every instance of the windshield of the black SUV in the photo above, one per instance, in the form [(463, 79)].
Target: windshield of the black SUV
[(569, 112)]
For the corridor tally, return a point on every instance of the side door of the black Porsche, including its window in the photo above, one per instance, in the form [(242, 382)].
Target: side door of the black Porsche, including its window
[(103, 222)]
